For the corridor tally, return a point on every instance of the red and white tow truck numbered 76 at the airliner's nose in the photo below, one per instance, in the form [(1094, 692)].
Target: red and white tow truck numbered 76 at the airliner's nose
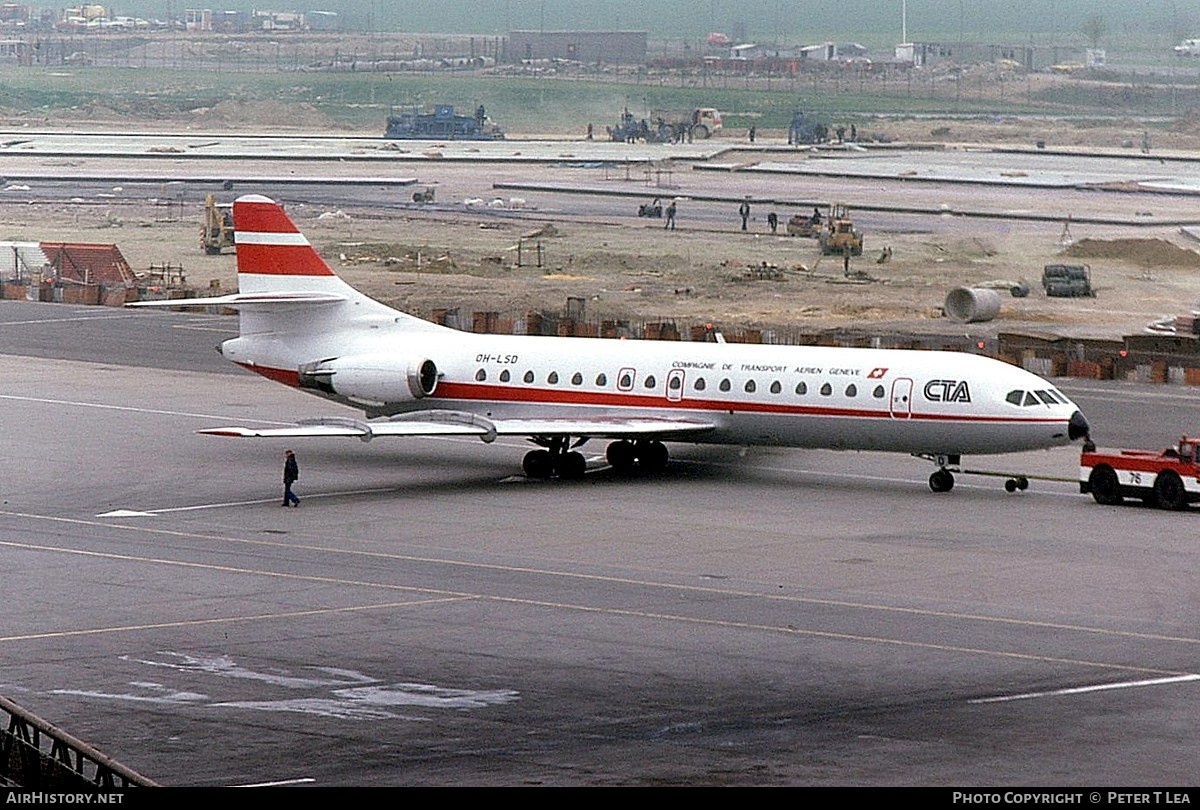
[(1169, 479)]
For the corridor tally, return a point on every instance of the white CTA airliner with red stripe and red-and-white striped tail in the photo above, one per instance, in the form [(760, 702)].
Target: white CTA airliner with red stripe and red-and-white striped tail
[(304, 327)]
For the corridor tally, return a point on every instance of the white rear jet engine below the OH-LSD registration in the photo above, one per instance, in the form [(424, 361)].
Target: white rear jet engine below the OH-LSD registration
[(375, 379)]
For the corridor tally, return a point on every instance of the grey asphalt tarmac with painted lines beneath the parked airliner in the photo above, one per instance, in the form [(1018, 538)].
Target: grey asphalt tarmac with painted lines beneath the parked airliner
[(430, 617)]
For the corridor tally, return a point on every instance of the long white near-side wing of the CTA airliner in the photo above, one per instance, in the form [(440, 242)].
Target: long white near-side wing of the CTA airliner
[(452, 423)]
